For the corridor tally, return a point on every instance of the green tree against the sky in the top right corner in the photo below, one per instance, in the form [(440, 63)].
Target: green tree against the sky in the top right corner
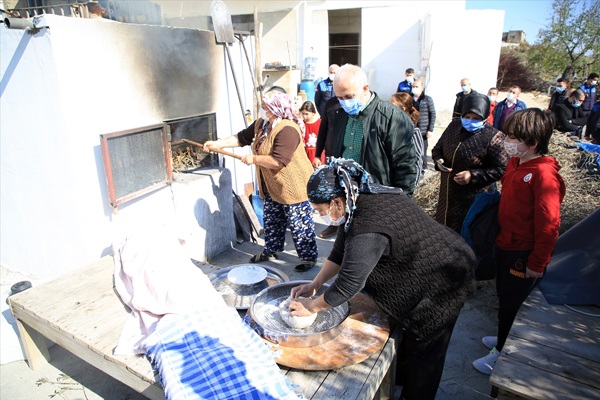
[(571, 42)]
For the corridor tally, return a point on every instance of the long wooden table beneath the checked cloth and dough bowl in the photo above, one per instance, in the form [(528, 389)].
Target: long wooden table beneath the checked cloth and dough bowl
[(82, 313)]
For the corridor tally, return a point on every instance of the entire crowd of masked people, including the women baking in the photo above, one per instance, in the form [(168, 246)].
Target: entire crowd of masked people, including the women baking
[(356, 159)]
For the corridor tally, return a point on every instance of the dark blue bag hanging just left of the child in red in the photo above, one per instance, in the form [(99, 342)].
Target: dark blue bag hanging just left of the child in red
[(480, 229)]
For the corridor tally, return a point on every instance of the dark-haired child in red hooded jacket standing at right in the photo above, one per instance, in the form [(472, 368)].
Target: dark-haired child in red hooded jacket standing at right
[(528, 217)]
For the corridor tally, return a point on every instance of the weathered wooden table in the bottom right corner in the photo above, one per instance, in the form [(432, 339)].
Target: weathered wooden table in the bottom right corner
[(551, 353)]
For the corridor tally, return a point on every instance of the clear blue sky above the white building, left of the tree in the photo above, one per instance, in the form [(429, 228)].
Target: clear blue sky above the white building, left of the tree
[(520, 15)]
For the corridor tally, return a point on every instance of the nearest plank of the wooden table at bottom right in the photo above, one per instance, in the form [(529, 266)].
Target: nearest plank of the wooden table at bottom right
[(529, 382)]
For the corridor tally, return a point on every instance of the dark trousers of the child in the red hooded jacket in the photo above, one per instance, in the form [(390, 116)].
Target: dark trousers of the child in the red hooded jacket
[(512, 287)]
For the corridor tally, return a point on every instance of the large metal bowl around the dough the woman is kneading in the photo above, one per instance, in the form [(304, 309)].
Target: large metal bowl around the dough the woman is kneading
[(265, 312)]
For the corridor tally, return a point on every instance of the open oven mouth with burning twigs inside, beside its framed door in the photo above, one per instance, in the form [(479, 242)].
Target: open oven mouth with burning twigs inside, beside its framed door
[(186, 136)]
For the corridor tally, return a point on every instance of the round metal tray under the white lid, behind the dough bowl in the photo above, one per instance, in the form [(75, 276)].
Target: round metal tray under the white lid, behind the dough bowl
[(241, 296)]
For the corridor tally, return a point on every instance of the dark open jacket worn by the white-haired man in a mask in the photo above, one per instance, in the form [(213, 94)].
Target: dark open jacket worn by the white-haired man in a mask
[(388, 152)]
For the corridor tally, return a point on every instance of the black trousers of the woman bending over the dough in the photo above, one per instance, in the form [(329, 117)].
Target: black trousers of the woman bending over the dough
[(420, 365)]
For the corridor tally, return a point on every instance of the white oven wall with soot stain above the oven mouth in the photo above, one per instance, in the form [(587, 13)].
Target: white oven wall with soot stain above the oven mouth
[(63, 87)]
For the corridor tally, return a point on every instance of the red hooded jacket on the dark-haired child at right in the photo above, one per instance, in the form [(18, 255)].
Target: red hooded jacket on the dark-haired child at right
[(529, 210)]
